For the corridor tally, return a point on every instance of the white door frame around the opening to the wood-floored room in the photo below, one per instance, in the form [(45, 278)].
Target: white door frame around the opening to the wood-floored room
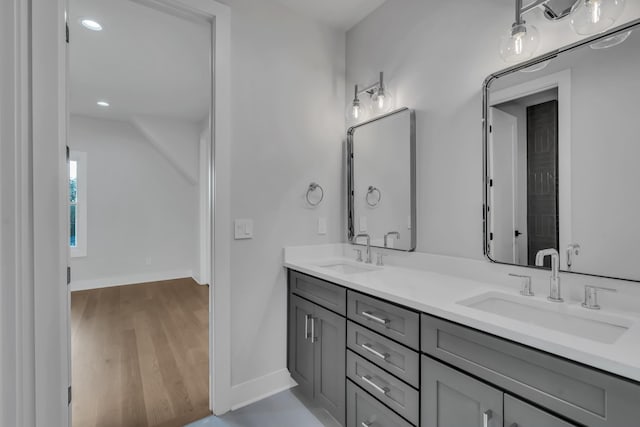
[(48, 96)]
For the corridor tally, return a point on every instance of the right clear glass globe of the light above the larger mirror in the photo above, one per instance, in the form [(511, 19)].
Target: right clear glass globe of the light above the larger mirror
[(595, 16)]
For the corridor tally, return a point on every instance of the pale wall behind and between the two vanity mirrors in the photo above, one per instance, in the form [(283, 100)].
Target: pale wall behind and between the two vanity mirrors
[(435, 55)]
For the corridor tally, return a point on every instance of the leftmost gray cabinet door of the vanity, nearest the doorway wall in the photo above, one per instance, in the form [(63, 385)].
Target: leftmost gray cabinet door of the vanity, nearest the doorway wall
[(301, 357)]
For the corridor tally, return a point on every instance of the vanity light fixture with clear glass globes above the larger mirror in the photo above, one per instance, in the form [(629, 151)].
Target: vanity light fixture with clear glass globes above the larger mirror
[(587, 17)]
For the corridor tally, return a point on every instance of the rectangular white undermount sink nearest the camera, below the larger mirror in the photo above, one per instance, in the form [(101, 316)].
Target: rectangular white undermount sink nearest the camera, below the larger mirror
[(596, 326)]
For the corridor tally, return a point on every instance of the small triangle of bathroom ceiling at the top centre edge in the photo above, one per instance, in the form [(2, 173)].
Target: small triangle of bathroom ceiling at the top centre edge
[(341, 14)]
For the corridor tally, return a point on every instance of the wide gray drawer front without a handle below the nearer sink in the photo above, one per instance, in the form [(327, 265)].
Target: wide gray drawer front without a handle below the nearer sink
[(588, 396)]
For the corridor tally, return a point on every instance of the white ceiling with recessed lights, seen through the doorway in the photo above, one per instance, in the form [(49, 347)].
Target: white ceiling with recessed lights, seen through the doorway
[(144, 61)]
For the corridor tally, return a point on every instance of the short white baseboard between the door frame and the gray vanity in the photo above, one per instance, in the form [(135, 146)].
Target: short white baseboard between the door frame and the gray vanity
[(260, 388)]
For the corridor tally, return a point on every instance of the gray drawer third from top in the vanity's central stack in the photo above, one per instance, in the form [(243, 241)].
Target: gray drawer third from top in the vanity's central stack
[(397, 395)]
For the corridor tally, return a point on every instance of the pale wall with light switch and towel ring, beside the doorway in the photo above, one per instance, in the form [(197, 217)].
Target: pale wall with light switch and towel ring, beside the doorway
[(287, 131)]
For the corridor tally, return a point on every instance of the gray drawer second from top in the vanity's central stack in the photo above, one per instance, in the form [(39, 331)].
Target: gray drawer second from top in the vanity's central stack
[(389, 355)]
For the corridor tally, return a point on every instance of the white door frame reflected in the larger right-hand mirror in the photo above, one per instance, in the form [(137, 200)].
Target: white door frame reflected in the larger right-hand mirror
[(562, 81)]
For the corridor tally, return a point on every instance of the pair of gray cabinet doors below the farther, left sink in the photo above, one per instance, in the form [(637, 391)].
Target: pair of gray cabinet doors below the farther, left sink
[(316, 353)]
